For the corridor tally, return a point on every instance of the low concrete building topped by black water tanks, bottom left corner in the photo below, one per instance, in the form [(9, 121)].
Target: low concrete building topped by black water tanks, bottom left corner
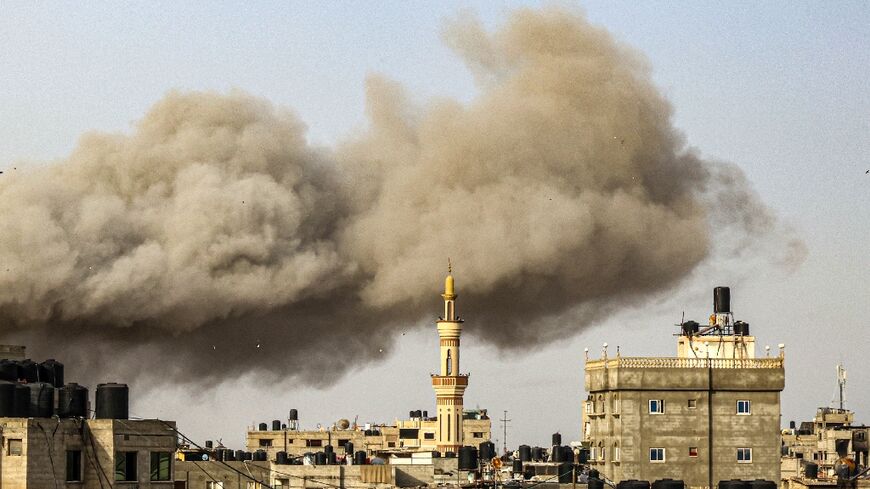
[(47, 453)]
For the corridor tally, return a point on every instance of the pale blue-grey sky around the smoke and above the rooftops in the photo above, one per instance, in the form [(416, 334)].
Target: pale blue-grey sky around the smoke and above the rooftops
[(779, 88)]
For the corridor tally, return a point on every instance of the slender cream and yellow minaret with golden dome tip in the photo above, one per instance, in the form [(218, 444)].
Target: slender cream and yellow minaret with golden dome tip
[(450, 384)]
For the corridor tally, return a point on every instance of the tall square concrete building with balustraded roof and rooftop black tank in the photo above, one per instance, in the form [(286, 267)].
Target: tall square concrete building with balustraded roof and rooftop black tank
[(711, 413)]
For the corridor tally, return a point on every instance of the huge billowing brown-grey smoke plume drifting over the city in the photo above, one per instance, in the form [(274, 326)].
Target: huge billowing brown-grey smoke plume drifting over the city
[(214, 237)]
